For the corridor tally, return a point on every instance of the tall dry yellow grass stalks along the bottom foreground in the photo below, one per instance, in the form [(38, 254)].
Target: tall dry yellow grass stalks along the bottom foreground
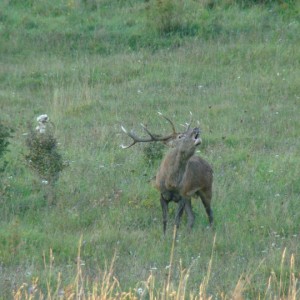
[(107, 287)]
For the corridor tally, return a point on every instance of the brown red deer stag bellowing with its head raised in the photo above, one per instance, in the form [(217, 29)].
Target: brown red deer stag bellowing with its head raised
[(182, 174)]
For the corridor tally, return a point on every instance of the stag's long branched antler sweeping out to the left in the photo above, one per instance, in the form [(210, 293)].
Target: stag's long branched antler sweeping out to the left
[(152, 137)]
